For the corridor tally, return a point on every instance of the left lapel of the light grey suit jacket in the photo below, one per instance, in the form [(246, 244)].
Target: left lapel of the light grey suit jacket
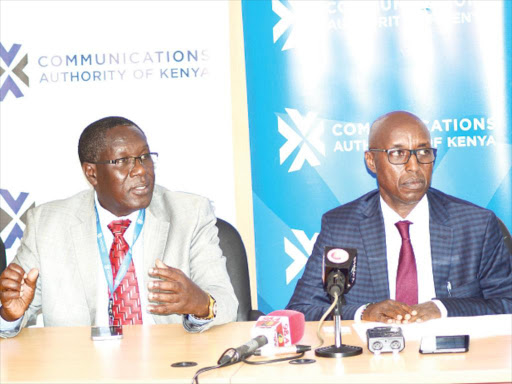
[(86, 251)]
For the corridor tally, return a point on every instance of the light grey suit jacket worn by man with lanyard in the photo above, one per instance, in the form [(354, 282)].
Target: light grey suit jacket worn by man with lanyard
[(60, 241)]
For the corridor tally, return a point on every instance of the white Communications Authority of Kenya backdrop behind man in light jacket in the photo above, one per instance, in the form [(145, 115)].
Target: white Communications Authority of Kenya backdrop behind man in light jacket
[(186, 119)]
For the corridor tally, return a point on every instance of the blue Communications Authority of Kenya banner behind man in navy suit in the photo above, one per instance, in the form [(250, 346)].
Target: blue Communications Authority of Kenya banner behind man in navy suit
[(318, 74)]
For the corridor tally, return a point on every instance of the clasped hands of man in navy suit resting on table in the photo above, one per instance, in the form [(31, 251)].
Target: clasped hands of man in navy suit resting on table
[(395, 312)]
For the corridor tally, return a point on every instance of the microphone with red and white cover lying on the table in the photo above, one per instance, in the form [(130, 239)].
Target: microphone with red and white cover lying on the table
[(281, 328)]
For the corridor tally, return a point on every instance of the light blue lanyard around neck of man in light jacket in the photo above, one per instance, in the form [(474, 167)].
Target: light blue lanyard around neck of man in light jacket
[(105, 259)]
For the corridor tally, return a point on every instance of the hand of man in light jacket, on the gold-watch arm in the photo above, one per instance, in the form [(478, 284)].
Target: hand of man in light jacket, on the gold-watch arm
[(174, 292)]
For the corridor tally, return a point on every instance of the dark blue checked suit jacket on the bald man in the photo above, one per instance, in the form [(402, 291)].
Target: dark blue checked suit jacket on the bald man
[(467, 250)]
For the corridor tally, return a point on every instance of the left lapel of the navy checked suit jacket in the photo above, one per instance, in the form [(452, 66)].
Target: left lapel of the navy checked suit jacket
[(374, 240)]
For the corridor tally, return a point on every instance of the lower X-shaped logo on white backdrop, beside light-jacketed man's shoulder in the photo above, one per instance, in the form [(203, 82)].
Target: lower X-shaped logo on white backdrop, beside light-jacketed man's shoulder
[(13, 217)]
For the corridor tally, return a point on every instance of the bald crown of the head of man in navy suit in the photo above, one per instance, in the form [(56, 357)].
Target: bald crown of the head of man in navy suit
[(385, 124)]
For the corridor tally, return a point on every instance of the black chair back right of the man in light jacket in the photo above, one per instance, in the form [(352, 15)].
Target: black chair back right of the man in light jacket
[(236, 262)]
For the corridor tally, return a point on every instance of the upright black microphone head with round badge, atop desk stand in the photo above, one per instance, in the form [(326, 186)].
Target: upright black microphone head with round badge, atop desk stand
[(339, 270)]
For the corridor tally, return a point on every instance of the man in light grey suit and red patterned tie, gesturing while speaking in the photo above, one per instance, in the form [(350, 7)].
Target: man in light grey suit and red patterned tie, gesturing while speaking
[(170, 262)]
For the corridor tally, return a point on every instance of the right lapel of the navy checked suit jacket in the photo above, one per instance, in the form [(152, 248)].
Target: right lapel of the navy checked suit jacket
[(440, 243)]
